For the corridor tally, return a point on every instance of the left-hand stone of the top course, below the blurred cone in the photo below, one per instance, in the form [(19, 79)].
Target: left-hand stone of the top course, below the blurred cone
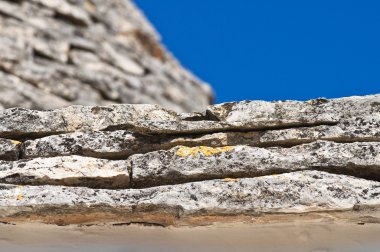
[(20, 123)]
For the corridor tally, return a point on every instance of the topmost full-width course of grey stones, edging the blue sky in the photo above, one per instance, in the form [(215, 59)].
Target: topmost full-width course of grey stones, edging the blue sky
[(152, 119)]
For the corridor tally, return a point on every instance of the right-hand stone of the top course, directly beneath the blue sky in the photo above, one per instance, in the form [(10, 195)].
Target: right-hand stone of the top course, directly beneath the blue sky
[(262, 114)]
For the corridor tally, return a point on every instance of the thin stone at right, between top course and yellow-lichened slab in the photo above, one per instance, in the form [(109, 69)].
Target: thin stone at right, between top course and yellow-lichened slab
[(357, 129)]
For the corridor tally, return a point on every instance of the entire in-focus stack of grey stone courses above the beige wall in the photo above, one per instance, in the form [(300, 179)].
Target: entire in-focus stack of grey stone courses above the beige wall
[(250, 157)]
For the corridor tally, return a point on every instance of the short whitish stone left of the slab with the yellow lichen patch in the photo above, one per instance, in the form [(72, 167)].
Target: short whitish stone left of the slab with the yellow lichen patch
[(69, 171)]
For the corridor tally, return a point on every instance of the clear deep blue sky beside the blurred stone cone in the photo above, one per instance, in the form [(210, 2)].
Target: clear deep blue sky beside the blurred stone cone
[(274, 49)]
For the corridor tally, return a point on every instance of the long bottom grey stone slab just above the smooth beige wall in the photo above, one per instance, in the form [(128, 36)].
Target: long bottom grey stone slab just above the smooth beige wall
[(287, 193)]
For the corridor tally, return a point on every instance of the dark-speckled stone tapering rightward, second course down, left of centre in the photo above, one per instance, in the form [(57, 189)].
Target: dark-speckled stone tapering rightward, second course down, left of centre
[(117, 144)]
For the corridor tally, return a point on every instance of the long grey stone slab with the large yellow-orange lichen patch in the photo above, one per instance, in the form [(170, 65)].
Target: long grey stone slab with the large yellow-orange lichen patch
[(183, 164)]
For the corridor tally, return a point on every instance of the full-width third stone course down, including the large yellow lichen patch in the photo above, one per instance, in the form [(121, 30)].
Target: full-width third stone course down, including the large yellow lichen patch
[(183, 164)]
